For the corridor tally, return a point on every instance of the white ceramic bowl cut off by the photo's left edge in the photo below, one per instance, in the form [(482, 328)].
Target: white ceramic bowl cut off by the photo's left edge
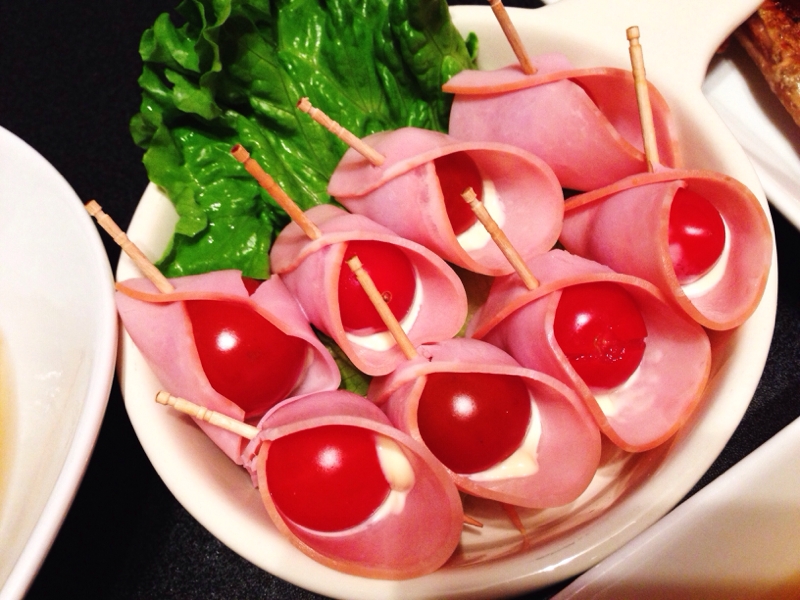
[(58, 341)]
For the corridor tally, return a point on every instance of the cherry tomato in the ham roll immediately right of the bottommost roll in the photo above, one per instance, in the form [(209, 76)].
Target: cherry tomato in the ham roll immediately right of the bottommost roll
[(473, 421)]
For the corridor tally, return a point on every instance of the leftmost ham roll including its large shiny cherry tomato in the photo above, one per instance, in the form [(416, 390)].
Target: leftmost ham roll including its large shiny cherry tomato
[(228, 350)]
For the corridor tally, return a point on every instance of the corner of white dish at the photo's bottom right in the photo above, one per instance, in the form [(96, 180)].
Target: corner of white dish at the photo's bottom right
[(737, 538)]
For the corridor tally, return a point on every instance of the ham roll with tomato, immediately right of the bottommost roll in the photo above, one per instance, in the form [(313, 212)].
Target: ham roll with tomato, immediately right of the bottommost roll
[(504, 432)]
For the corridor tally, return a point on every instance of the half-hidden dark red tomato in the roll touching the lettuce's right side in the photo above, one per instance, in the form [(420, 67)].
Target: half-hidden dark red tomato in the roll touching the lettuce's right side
[(457, 172)]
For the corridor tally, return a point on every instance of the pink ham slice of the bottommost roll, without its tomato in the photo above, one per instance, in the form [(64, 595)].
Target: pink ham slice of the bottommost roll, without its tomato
[(415, 541)]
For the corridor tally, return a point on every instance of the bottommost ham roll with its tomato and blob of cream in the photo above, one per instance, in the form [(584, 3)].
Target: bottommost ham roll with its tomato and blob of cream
[(351, 491)]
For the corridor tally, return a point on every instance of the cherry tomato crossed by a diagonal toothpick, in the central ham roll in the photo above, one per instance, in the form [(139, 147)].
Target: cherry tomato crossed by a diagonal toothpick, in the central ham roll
[(393, 275)]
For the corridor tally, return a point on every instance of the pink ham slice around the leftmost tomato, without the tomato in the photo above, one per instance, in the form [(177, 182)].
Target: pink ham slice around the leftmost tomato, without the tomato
[(160, 327)]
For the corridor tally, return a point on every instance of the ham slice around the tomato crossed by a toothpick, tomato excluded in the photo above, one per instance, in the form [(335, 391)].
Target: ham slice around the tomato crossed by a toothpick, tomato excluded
[(310, 269)]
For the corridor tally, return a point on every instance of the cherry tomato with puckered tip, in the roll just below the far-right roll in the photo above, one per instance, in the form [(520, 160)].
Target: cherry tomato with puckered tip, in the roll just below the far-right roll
[(600, 329)]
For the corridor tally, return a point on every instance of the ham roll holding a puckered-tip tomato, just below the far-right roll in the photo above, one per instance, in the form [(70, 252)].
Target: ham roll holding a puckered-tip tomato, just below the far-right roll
[(639, 365)]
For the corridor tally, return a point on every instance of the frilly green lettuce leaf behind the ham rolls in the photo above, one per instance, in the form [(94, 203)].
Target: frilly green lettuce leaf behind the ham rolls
[(233, 73)]
